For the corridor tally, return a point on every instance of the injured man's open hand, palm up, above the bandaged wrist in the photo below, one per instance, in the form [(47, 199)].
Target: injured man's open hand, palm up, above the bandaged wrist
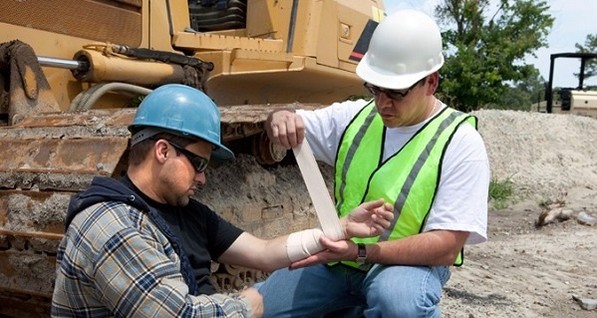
[(368, 219)]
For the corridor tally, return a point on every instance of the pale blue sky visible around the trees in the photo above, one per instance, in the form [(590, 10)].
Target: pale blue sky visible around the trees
[(574, 19)]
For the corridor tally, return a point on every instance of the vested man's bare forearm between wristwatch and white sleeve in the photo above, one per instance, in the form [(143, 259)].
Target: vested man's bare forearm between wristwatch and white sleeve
[(429, 248)]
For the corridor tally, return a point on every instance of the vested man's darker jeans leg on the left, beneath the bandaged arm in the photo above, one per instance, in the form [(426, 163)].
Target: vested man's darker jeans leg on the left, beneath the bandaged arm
[(310, 292)]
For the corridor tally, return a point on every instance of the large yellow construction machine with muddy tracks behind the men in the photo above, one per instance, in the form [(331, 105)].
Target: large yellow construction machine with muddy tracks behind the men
[(73, 71)]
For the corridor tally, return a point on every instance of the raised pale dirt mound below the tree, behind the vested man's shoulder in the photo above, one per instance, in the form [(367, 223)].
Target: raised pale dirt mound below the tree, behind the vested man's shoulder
[(544, 155)]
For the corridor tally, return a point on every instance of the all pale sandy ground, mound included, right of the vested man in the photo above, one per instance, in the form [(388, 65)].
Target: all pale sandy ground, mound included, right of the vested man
[(525, 270)]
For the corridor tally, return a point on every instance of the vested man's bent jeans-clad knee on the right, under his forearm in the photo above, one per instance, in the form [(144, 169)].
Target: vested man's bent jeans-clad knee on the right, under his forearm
[(404, 291)]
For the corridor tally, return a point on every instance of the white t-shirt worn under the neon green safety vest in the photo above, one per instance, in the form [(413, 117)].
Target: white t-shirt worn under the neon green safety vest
[(461, 200)]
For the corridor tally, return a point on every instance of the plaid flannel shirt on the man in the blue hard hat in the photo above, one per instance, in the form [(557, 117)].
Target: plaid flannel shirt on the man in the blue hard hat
[(113, 261)]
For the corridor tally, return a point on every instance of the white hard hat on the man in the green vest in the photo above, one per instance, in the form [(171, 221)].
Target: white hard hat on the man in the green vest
[(405, 47)]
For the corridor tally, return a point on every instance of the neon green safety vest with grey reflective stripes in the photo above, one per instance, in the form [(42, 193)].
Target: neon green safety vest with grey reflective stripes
[(362, 176)]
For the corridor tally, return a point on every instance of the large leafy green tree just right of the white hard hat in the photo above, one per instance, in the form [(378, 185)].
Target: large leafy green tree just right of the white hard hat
[(486, 47)]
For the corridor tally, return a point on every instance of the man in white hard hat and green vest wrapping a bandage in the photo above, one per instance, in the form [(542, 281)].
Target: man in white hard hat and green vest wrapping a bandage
[(407, 147)]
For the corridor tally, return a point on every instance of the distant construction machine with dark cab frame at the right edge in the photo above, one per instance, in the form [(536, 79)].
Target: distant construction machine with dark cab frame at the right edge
[(578, 100)]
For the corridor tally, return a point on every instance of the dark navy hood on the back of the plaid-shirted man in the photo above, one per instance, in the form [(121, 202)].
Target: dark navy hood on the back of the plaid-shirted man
[(103, 189)]
